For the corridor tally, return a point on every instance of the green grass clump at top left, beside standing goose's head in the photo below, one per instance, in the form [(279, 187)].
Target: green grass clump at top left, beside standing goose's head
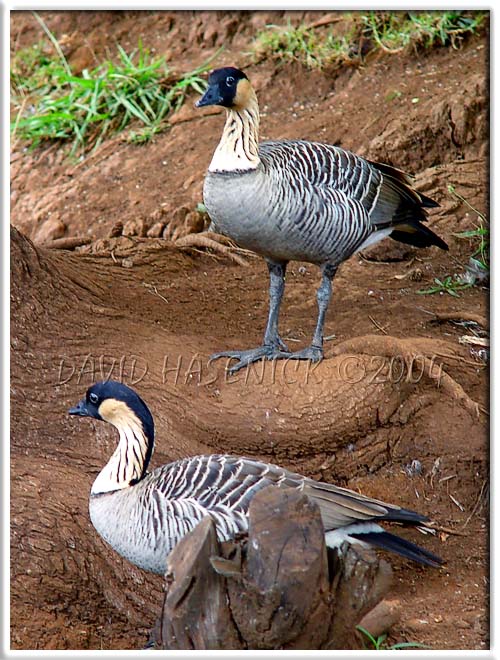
[(51, 103)]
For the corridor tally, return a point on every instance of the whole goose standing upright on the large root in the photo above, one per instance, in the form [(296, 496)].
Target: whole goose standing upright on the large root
[(297, 200)]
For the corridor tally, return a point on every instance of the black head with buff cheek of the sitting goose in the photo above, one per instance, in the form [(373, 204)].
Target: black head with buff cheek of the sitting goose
[(114, 402)]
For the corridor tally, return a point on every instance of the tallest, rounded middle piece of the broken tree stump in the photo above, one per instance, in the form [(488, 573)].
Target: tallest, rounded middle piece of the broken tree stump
[(283, 599)]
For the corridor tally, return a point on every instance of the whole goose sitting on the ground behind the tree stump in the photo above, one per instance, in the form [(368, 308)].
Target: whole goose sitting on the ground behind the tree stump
[(142, 515)]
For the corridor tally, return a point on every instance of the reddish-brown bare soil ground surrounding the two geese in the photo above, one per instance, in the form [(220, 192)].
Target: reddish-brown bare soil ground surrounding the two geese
[(132, 304)]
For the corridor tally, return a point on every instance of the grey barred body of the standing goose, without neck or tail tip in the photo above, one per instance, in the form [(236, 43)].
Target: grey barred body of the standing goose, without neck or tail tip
[(305, 202)]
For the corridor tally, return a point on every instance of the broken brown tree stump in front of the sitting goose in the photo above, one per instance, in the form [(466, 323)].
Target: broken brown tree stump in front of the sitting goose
[(275, 589)]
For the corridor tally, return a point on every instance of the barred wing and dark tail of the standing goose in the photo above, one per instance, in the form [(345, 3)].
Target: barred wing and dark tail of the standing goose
[(347, 197)]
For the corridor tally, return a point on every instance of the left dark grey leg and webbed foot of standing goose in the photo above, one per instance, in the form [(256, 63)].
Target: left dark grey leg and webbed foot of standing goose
[(273, 346)]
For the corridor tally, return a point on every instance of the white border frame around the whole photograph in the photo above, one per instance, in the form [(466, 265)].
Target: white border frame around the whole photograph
[(7, 7)]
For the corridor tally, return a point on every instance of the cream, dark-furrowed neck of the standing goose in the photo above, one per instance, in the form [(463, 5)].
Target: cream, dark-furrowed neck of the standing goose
[(238, 148)]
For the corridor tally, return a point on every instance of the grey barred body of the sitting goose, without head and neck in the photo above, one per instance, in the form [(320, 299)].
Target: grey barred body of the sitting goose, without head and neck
[(158, 511)]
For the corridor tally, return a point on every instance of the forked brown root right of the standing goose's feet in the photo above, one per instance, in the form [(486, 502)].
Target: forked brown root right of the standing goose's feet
[(414, 352)]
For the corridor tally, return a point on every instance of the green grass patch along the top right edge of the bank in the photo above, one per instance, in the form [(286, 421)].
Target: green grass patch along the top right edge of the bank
[(358, 33)]
